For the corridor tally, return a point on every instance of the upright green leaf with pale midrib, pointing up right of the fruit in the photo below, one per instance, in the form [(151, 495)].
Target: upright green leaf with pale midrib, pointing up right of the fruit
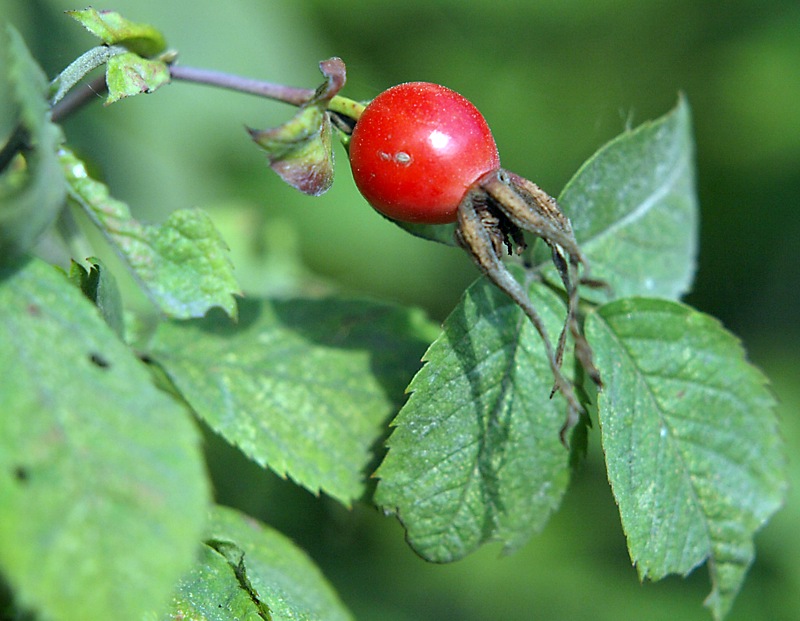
[(633, 209)]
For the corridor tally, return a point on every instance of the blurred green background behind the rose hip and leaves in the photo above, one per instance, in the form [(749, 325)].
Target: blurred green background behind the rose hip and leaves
[(555, 79)]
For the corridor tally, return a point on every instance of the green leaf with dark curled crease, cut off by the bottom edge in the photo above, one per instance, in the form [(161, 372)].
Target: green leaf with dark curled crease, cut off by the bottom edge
[(250, 571)]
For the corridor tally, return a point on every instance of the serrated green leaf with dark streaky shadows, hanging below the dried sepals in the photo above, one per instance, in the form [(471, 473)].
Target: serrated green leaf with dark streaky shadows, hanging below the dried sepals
[(475, 454)]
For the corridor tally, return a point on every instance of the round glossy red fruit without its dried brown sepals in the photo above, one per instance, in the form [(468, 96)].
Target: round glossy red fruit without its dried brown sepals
[(417, 148)]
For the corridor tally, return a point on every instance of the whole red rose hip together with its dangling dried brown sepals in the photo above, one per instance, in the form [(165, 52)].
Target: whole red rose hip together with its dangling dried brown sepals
[(422, 153)]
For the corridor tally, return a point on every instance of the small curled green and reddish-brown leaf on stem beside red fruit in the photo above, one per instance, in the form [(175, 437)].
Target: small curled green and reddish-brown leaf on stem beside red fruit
[(300, 150)]
